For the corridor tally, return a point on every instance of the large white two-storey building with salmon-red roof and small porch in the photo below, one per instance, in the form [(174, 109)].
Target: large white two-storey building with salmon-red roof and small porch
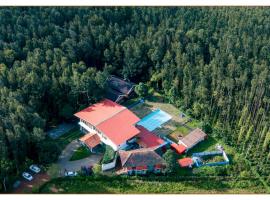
[(112, 123)]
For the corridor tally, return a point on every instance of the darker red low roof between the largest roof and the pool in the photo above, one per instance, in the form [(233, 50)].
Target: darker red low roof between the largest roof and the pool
[(147, 139)]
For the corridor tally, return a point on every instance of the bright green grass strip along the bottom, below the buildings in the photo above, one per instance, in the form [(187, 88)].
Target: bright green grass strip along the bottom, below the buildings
[(151, 185)]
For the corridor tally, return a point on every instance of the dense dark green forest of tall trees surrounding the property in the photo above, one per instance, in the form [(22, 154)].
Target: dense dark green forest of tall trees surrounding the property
[(214, 63)]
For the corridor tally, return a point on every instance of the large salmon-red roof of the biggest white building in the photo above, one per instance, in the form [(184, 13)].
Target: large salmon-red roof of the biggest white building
[(112, 119)]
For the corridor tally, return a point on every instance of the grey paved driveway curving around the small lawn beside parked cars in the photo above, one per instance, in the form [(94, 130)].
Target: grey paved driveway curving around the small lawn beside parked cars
[(66, 154)]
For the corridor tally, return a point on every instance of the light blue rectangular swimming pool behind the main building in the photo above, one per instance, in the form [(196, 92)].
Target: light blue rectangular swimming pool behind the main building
[(154, 120)]
